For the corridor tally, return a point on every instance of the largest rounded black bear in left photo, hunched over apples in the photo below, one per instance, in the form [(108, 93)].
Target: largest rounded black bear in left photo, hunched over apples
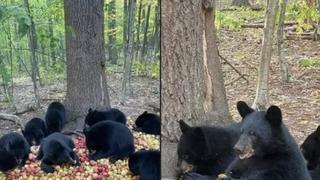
[(109, 139)]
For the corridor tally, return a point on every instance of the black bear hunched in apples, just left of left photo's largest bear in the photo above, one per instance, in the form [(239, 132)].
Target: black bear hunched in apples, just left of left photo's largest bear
[(56, 149)]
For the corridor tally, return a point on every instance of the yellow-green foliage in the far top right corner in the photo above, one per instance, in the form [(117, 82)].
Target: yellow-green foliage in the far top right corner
[(303, 14)]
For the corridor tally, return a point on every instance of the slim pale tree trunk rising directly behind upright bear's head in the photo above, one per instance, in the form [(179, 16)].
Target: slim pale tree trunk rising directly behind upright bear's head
[(261, 101)]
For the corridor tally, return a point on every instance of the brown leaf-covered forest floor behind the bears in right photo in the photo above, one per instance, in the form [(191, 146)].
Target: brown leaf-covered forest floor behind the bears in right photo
[(298, 99)]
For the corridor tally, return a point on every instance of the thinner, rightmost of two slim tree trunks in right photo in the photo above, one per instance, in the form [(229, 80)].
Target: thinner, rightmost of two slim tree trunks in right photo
[(285, 75)]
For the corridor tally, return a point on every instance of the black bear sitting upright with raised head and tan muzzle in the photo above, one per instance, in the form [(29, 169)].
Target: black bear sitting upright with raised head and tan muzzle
[(265, 149)]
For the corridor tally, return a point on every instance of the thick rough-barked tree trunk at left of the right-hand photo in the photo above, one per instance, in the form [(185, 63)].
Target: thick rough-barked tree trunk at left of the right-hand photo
[(189, 84)]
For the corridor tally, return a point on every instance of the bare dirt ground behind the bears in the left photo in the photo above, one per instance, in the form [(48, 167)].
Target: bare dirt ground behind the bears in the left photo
[(145, 96)]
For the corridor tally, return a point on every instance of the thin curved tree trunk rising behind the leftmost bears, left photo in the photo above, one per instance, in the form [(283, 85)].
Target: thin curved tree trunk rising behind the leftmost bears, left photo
[(33, 46)]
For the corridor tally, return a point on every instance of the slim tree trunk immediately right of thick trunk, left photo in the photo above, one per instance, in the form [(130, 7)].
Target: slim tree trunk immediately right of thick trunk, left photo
[(112, 32)]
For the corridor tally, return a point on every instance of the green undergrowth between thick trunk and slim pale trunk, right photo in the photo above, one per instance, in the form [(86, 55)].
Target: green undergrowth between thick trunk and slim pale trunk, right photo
[(234, 19)]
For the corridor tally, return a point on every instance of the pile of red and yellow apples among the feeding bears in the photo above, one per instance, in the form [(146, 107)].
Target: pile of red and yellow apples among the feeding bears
[(88, 170)]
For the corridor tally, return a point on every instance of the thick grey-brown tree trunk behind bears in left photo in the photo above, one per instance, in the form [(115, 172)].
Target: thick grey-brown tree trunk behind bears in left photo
[(86, 77)]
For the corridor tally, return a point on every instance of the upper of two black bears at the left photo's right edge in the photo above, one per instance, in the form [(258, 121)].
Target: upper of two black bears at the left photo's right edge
[(148, 123)]
